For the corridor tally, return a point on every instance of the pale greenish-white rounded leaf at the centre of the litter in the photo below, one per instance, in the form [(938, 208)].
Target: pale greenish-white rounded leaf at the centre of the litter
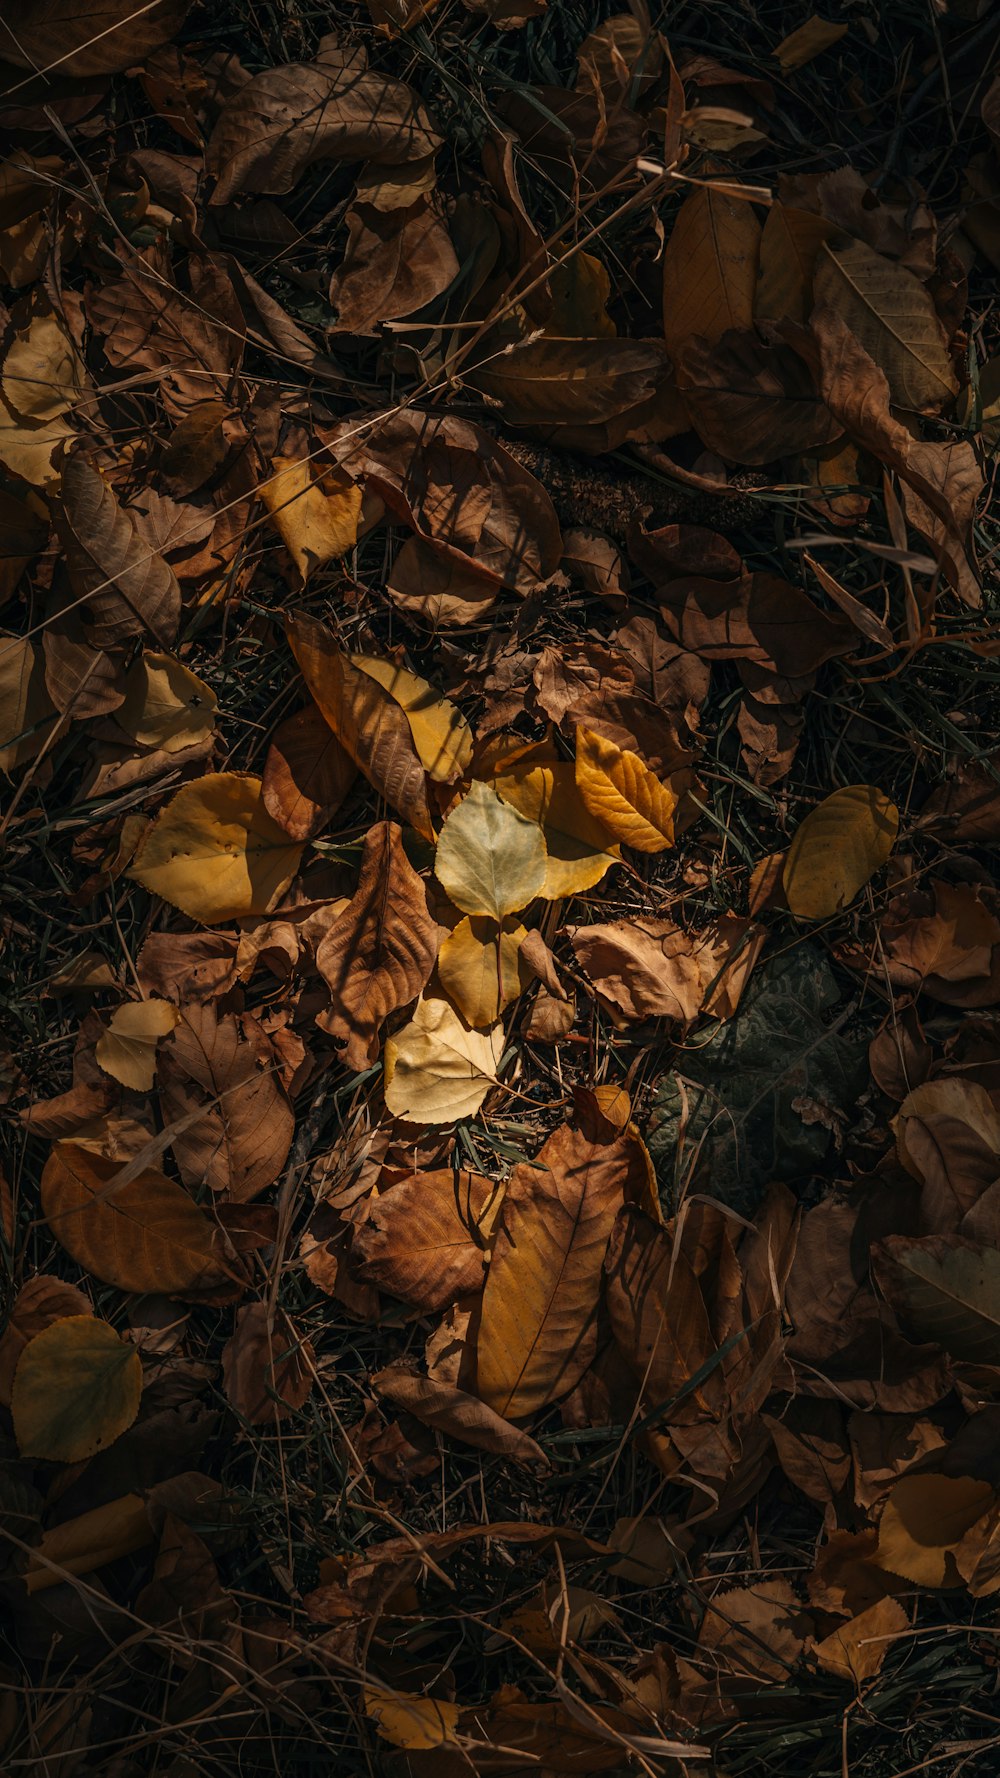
[(490, 860)]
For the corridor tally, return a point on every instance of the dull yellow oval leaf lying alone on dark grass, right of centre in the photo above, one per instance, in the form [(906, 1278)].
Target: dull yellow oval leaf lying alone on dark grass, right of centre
[(837, 849)]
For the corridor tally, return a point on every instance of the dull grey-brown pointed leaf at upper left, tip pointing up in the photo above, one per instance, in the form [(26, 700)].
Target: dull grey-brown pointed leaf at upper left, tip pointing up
[(127, 589)]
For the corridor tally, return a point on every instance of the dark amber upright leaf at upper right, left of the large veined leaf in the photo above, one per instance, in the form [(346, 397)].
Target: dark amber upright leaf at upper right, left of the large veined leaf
[(709, 268)]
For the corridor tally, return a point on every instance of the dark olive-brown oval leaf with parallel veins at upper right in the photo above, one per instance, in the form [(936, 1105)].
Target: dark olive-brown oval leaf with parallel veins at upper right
[(894, 317)]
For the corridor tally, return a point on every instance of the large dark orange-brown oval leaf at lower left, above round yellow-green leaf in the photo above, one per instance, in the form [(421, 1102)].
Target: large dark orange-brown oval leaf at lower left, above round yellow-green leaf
[(141, 1237)]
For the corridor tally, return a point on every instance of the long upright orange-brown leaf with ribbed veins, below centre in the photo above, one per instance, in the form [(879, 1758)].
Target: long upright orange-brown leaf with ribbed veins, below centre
[(538, 1333)]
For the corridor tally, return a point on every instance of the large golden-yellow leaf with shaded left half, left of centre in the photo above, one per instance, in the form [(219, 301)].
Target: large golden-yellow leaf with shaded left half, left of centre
[(216, 853)]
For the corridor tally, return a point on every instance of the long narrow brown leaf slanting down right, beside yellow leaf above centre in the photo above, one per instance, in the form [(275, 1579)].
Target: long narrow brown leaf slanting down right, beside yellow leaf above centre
[(367, 721)]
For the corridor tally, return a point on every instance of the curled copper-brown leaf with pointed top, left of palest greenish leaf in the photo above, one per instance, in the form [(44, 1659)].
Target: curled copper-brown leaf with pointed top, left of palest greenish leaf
[(382, 950)]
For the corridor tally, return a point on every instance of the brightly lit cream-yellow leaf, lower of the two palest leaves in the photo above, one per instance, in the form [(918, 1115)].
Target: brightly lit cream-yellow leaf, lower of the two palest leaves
[(437, 1069)]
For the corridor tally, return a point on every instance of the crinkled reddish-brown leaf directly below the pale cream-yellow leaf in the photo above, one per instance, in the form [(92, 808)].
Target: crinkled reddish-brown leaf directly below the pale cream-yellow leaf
[(423, 1240)]
